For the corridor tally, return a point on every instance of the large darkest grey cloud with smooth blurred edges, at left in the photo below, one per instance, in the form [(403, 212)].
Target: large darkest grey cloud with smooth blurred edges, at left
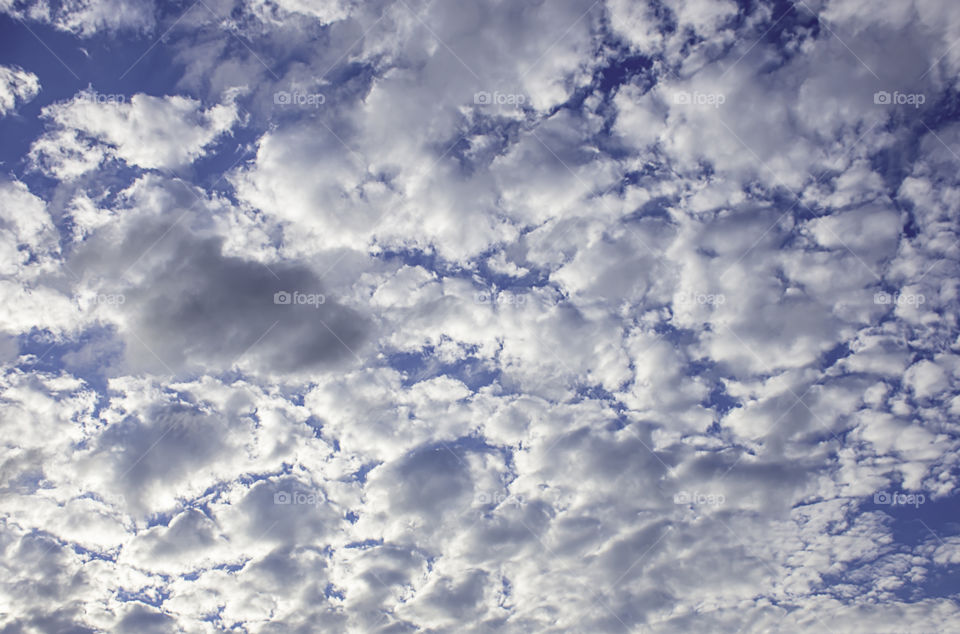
[(192, 307)]
